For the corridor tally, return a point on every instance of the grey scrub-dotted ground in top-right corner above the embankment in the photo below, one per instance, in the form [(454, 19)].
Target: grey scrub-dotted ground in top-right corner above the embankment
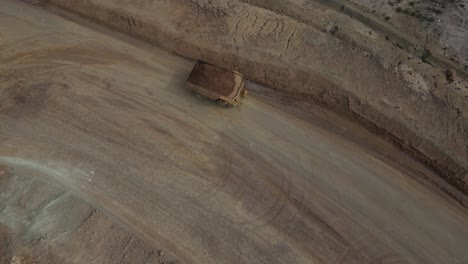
[(439, 24)]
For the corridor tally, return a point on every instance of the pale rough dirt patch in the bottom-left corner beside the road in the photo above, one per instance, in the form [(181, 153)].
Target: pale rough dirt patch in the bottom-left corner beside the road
[(42, 223)]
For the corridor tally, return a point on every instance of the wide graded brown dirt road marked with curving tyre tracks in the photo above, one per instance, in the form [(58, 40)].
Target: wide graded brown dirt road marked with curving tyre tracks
[(108, 118)]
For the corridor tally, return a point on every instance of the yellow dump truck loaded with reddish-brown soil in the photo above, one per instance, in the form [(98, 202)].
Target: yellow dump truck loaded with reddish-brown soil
[(225, 87)]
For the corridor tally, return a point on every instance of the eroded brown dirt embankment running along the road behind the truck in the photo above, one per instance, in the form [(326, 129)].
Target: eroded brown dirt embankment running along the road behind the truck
[(329, 58)]
